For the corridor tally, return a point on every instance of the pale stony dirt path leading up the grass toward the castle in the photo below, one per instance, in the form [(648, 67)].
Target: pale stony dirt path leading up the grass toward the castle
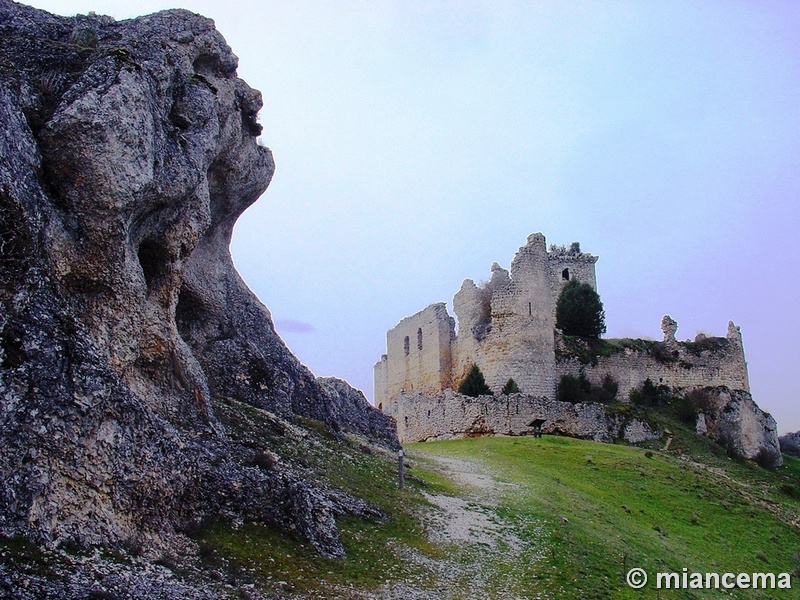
[(482, 551)]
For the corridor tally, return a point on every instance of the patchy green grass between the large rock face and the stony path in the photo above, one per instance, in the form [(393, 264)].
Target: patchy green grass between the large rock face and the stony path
[(377, 550)]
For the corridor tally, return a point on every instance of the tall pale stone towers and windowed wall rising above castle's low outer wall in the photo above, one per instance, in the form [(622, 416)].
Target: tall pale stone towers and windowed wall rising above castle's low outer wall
[(505, 326)]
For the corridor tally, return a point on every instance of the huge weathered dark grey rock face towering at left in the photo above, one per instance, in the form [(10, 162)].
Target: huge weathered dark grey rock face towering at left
[(127, 152)]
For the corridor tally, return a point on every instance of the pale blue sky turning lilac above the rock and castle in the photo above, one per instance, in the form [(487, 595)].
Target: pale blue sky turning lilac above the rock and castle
[(416, 142)]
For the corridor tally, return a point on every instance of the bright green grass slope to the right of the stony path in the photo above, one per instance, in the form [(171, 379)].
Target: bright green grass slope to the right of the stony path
[(600, 510)]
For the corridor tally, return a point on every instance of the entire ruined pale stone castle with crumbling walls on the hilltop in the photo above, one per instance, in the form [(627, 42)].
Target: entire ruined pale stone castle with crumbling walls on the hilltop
[(506, 327)]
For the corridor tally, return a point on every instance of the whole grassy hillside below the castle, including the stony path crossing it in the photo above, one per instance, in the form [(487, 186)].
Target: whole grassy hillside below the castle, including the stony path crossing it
[(573, 516)]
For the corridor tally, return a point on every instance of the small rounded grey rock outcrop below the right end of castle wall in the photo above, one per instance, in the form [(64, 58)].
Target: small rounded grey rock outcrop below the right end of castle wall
[(734, 420)]
